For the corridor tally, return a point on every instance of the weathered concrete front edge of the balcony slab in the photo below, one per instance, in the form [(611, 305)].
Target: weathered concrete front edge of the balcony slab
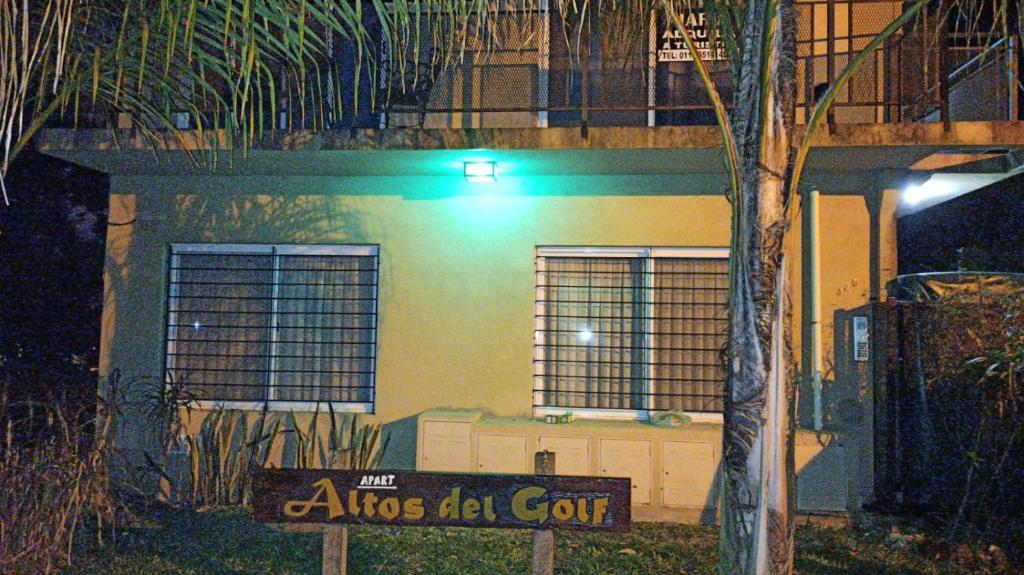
[(630, 138)]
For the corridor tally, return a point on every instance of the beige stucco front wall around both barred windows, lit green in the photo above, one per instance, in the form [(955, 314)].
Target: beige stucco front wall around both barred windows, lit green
[(456, 297)]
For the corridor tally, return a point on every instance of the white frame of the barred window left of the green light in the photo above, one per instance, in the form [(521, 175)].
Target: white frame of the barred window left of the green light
[(277, 251)]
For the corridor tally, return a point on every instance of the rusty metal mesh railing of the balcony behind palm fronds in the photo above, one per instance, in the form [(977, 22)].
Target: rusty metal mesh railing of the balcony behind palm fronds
[(636, 81)]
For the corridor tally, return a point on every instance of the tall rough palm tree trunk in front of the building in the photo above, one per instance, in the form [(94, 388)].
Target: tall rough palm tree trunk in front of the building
[(757, 467)]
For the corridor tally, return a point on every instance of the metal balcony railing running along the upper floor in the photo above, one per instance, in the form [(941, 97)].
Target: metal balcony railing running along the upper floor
[(569, 75)]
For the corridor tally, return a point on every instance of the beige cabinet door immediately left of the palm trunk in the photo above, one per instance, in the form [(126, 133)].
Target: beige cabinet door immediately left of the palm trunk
[(689, 474)]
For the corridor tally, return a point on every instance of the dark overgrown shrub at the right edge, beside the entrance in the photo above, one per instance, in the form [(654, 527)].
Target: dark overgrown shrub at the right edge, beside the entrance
[(964, 413)]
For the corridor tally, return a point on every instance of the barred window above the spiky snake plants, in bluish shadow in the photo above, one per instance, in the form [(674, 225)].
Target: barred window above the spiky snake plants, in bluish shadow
[(292, 326)]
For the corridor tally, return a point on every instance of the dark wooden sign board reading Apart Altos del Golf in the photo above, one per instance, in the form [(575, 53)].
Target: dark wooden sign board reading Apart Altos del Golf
[(407, 499)]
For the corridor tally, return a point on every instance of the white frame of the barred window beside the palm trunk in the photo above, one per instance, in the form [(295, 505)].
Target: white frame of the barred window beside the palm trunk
[(650, 254)]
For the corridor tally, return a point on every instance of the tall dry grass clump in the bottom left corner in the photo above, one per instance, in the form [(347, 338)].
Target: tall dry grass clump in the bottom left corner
[(56, 483)]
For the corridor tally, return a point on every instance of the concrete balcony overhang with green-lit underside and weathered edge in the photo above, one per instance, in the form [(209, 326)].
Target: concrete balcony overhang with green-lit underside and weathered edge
[(850, 159)]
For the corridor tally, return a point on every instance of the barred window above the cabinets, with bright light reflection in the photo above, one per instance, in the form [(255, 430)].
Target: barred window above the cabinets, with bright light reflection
[(624, 332)]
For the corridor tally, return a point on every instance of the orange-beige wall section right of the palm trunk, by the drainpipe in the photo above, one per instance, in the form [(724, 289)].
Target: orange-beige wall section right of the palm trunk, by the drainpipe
[(847, 277)]
